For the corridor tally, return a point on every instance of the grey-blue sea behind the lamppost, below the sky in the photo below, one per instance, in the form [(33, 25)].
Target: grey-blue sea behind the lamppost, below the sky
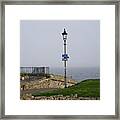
[(77, 73)]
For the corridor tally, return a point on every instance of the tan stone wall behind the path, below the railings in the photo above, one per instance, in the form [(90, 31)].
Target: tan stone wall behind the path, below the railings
[(52, 82)]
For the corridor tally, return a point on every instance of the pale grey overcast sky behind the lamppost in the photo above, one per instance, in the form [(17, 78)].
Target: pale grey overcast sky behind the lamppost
[(41, 43)]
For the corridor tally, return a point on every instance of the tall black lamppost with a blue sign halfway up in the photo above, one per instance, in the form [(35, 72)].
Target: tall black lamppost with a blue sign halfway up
[(65, 55)]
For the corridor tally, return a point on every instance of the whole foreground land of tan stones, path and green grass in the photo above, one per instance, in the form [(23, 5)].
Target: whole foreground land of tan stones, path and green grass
[(52, 88)]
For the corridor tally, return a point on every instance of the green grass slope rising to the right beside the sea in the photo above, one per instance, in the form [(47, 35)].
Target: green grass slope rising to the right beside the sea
[(86, 88)]
